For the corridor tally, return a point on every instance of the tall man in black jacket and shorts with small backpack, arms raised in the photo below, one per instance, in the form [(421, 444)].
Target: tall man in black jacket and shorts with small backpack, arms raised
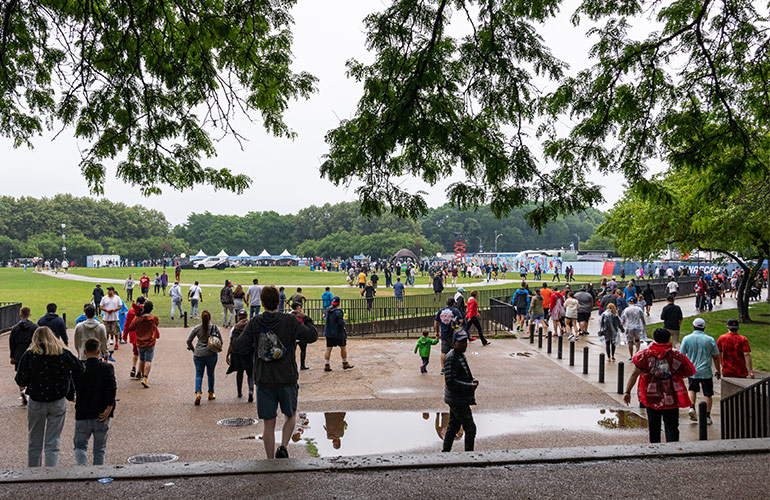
[(272, 337)]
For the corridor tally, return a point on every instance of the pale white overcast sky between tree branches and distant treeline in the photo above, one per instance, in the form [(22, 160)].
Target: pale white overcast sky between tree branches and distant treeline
[(285, 173)]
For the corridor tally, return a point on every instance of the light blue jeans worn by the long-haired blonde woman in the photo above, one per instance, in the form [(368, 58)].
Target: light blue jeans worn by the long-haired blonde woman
[(45, 422)]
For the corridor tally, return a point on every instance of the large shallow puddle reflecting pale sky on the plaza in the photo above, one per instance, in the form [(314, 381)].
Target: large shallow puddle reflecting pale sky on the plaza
[(367, 432)]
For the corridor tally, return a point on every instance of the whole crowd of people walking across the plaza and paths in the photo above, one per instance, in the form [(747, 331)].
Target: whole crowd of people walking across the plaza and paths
[(262, 329)]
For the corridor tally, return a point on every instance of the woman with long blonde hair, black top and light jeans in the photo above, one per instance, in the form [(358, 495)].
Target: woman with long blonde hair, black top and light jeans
[(45, 371)]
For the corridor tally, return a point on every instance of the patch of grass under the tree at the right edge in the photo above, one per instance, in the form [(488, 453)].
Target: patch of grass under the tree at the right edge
[(758, 334)]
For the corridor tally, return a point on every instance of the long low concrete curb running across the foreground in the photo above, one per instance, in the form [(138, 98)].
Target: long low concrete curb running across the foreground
[(394, 461)]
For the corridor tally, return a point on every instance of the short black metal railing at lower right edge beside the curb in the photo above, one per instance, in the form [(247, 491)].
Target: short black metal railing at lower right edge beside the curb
[(746, 414)]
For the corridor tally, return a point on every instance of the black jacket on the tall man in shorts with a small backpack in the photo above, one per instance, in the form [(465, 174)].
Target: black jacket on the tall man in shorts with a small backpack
[(279, 372)]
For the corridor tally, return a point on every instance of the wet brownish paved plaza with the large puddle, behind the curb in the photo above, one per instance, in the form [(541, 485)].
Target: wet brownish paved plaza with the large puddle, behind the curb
[(526, 400)]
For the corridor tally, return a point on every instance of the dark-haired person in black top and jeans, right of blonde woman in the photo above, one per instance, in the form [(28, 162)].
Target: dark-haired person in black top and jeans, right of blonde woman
[(95, 390)]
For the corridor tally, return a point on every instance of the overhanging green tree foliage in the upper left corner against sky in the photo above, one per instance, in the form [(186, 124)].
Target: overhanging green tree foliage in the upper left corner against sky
[(147, 82)]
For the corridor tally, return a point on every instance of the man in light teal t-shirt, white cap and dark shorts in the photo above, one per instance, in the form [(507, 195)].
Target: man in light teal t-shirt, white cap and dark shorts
[(701, 350)]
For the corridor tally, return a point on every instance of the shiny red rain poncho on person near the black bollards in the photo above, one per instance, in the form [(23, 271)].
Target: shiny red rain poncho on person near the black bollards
[(661, 385)]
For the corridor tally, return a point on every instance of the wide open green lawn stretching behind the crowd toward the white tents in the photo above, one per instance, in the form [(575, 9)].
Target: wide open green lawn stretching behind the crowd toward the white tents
[(36, 290)]
